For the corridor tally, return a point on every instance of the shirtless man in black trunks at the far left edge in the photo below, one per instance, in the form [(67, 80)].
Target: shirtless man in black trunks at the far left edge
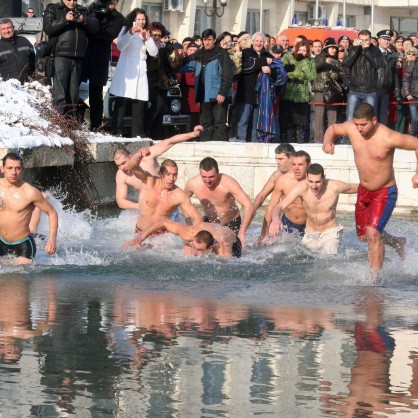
[(17, 202)]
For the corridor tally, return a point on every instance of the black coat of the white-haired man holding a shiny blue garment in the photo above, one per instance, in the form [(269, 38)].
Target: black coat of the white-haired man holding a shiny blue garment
[(251, 68)]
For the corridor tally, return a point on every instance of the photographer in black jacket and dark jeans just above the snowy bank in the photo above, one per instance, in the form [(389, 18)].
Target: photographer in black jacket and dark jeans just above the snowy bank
[(67, 26)]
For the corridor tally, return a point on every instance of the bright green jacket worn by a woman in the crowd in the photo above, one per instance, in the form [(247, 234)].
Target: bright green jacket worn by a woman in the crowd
[(298, 84)]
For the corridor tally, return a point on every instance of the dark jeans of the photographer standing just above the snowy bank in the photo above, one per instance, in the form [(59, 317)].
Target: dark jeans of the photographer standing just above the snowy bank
[(65, 89)]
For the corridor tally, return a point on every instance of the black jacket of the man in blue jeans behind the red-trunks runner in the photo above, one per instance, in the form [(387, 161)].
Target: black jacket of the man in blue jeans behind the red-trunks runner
[(364, 65)]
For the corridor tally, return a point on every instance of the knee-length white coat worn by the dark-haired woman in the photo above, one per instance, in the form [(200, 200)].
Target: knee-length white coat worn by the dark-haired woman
[(130, 78)]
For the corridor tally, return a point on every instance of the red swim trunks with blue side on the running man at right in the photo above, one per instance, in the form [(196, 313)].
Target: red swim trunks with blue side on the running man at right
[(374, 208)]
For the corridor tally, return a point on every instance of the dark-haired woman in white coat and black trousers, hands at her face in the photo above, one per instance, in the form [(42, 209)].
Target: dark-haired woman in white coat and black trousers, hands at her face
[(130, 82)]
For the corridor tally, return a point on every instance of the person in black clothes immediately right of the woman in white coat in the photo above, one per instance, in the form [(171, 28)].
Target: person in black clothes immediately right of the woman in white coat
[(161, 71)]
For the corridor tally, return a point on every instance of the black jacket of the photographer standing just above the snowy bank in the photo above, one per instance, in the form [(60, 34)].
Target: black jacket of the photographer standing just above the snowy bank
[(71, 36)]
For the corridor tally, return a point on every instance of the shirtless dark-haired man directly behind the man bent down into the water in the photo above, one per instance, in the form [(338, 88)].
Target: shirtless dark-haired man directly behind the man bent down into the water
[(219, 193)]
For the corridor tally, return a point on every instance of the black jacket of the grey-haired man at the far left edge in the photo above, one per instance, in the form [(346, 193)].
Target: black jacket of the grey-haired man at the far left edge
[(17, 58)]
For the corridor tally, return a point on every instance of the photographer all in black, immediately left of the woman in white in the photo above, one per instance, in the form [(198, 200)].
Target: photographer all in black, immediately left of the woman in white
[(95, 67)]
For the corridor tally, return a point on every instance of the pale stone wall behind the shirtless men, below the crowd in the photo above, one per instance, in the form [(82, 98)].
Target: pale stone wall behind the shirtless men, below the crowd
[(250, 164)]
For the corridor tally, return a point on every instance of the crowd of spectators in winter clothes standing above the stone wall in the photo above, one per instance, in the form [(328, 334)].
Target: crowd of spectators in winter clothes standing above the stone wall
[(243, 87)]
